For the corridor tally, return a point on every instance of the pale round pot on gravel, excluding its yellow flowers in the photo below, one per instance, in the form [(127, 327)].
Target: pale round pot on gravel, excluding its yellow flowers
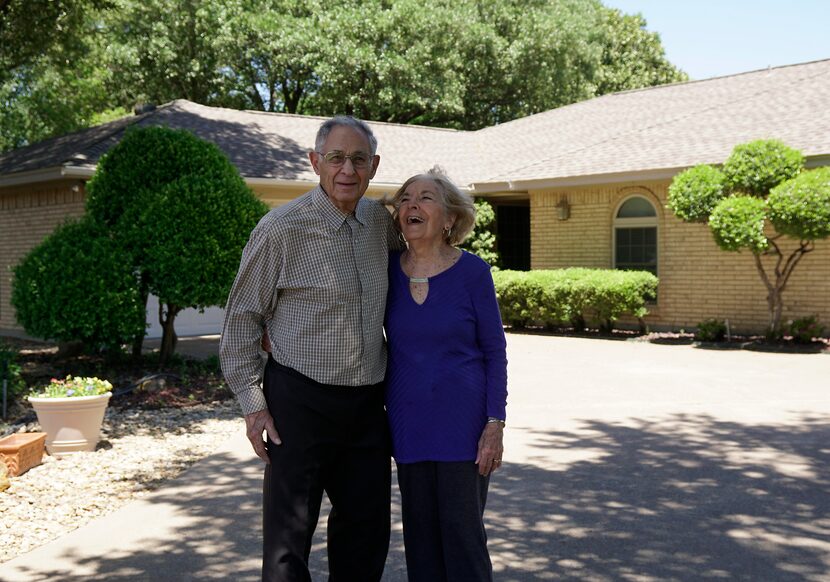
[(71, 424)]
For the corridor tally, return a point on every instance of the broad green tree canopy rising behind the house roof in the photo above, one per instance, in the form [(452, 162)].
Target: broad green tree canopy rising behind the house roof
[(450, 63)]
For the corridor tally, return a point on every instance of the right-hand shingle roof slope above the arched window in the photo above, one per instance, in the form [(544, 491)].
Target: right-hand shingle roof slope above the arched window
[(672, 126)]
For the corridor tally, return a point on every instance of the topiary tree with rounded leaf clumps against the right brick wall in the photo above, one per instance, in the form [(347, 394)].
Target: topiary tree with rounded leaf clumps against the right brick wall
[(760, 196)]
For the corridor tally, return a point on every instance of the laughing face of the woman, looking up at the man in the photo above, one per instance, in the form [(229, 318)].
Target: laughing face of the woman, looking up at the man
[(421, 214)]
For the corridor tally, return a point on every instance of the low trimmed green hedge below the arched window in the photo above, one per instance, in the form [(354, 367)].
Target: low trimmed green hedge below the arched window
[(572, 296)]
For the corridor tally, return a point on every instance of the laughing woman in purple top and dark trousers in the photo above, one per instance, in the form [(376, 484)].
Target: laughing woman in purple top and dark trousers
[(446, 382)]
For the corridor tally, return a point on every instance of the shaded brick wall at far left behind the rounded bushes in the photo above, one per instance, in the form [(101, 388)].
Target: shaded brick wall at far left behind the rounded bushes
[(27, 215)]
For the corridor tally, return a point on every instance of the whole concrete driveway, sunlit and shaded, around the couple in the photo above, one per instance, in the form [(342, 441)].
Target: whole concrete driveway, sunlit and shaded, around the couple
[(624, 461)]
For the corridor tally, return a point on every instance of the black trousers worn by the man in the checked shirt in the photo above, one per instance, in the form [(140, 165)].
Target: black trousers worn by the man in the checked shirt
[(334, 439)]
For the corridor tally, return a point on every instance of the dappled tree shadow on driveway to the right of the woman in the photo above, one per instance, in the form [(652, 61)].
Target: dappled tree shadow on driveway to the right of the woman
[(690, 498)]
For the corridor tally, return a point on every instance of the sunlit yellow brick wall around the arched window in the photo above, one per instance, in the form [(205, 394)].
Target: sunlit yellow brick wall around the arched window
[(697, 280)]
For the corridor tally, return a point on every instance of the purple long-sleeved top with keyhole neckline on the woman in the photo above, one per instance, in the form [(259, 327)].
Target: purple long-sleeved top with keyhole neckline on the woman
[(447, 369)]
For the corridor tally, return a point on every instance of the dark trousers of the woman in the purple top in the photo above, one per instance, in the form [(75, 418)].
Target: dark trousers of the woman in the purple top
[(442, 507)]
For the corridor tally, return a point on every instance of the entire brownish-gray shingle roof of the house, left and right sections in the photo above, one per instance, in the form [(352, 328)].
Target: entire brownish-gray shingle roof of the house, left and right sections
[(665, 127)]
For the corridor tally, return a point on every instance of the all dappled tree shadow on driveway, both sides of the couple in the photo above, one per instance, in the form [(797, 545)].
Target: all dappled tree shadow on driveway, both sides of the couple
[(685, 498)]
